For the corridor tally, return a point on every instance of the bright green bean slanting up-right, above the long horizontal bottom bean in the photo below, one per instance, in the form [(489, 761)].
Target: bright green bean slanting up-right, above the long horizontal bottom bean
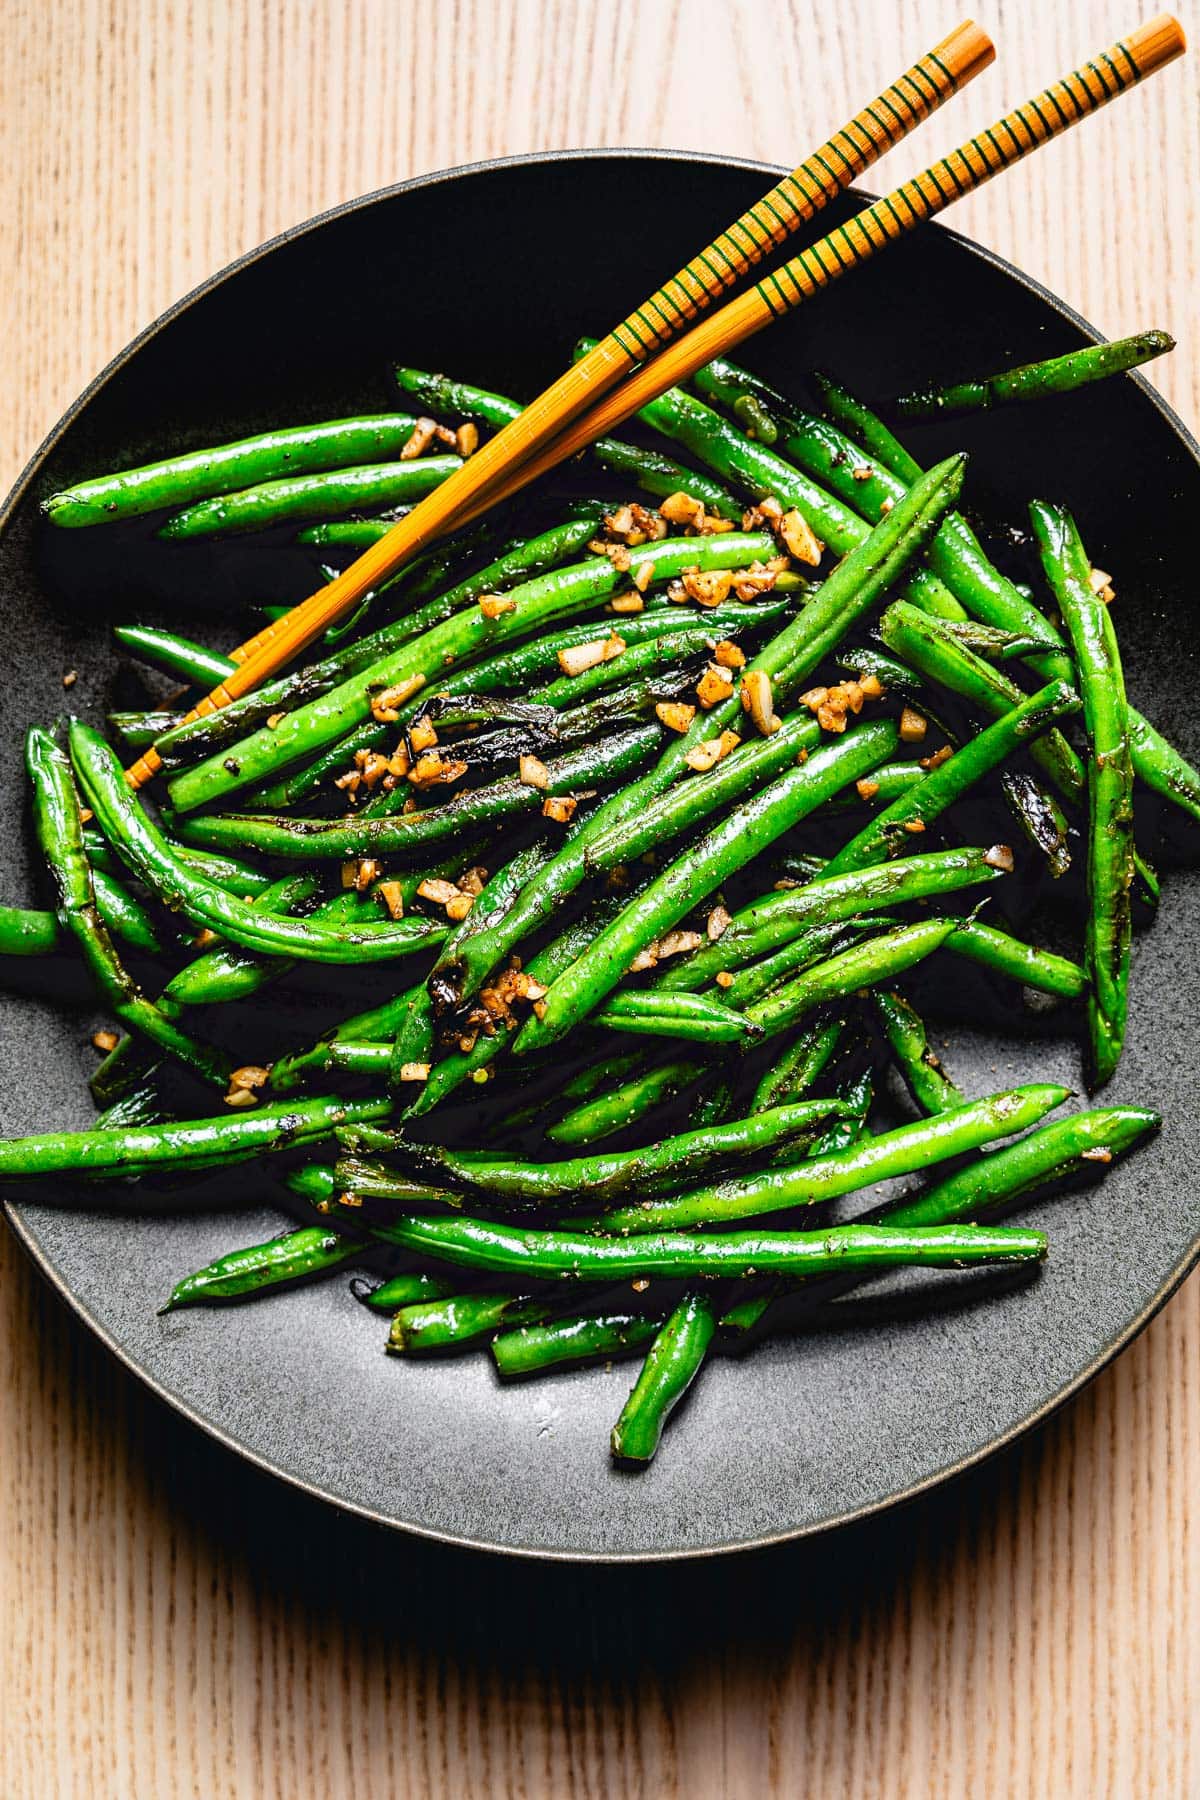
[(895, 1153)]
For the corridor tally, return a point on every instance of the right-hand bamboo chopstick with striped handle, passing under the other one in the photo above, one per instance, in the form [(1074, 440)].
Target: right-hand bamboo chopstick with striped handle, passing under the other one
[(967, 168)]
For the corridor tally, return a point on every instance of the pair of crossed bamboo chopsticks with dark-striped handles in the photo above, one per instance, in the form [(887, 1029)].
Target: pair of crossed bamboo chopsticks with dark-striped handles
[(616, 377)]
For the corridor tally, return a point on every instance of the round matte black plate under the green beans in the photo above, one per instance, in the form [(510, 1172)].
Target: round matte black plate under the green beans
[(492, 273)]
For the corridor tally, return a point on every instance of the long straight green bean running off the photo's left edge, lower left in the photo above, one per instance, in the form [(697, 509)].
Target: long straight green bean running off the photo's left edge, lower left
[(188, 1146)]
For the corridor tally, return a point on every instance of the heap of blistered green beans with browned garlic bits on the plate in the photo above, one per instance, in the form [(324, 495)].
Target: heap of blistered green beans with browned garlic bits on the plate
[(674, 804)]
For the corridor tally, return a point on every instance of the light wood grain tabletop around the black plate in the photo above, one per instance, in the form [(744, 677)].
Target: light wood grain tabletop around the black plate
[(174, 1624)]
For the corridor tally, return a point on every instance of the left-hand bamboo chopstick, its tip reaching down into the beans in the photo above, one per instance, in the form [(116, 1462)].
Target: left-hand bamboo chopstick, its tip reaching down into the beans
[(933, 80)]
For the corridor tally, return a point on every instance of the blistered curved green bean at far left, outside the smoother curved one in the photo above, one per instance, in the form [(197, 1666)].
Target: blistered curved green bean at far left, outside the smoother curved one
[(60, 836)]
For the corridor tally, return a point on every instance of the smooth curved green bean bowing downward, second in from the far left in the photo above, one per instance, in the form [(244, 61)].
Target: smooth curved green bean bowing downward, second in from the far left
[(147, 850)]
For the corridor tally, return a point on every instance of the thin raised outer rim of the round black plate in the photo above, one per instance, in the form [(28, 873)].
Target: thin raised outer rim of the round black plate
[(13, 1210)]
